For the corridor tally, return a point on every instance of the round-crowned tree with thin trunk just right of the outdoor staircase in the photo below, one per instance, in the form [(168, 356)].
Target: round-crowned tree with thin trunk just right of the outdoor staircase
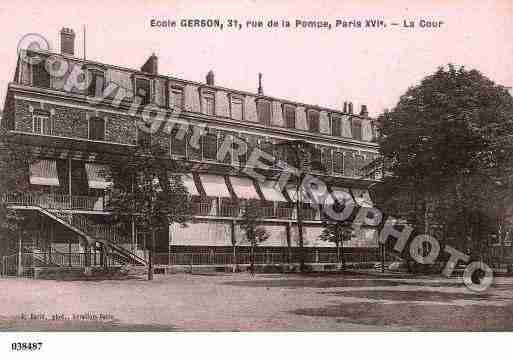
[(146, 192)]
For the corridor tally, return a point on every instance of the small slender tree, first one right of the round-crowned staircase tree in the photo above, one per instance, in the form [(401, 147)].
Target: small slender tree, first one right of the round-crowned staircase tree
[(254, 233)]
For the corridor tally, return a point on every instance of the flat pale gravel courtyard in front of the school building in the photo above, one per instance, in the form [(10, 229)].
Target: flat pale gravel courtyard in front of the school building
[(239, 302)]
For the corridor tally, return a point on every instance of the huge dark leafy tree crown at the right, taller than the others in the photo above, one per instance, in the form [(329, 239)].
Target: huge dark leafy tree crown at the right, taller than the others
[(449, 161)]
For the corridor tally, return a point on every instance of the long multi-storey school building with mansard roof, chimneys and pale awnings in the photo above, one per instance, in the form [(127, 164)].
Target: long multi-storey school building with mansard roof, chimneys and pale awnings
[(78, 116)]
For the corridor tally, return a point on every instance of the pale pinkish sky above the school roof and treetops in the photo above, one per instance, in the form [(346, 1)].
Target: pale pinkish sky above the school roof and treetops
[(315, 66)]
